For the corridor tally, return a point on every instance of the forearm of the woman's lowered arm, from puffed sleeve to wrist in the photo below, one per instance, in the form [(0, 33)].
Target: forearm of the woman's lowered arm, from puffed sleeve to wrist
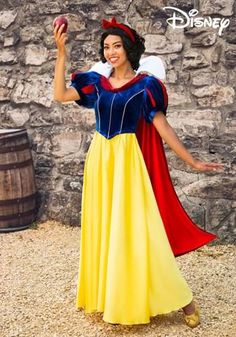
[(170, 137)]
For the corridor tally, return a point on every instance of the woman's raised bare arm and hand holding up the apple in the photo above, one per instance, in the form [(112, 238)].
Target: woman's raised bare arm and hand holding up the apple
[(61, 93)]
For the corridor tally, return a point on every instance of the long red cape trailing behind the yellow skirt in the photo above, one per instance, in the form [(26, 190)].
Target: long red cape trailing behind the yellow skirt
[(183, 234)]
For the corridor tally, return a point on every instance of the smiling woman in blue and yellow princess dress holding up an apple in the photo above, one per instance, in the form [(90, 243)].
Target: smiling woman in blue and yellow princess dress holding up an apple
[(127, 267)]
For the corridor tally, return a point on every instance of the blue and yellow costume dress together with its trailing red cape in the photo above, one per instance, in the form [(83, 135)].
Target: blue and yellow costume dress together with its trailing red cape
[(127, 267)]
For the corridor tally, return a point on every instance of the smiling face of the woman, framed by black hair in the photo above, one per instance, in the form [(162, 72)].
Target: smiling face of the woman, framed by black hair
[(114, 51)]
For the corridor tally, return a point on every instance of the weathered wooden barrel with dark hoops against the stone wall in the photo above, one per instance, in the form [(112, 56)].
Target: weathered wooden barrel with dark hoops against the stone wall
[(17, 181)]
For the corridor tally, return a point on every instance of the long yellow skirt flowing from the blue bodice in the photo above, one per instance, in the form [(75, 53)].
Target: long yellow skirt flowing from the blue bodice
[(127, 269)]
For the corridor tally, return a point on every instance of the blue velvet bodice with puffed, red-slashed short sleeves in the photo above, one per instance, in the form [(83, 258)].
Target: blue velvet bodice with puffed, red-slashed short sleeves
[(118, 110)]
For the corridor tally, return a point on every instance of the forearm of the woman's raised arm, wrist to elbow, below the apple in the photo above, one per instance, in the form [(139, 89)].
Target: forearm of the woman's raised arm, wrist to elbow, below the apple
[(59, 77)]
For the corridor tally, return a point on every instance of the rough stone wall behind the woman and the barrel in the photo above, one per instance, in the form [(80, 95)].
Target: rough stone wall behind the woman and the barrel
[(200, 80)]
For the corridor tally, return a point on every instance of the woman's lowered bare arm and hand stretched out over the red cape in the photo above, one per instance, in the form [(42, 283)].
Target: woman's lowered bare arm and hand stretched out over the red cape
[(170, 137)]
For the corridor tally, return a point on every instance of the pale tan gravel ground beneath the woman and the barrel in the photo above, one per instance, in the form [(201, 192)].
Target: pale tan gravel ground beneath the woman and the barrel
[(38, 289)]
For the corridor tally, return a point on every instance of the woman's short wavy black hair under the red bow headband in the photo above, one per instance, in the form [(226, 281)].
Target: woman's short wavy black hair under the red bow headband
[(134, 50)]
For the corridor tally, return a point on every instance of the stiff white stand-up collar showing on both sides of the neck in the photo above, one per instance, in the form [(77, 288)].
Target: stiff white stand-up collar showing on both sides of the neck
[(152, 65)]
